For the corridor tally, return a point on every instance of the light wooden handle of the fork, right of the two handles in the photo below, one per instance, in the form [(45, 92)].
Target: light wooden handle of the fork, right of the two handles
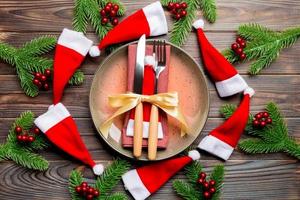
[(153, 132)]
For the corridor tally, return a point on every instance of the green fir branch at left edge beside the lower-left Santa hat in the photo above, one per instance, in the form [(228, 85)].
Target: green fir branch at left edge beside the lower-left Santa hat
[(23, 154)]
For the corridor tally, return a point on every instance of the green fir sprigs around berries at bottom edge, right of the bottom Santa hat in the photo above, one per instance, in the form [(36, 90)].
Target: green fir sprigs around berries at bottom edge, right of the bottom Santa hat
[(191, 190)]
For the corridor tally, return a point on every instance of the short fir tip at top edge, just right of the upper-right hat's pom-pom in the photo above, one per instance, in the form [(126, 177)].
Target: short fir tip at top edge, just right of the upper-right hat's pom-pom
[(209, 9)]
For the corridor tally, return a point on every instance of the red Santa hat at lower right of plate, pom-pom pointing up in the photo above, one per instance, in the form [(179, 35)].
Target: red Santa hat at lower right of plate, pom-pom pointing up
[(222, 140)]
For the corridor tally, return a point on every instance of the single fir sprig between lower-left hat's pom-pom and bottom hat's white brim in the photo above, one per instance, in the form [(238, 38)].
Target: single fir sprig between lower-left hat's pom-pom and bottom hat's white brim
[(111, 176)]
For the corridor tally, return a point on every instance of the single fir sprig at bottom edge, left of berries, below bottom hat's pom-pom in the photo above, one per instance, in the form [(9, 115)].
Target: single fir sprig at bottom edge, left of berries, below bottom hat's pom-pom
[(185, 190)]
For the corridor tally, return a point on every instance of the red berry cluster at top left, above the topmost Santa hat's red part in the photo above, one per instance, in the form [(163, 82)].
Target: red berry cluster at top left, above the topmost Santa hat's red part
[(109, 13)]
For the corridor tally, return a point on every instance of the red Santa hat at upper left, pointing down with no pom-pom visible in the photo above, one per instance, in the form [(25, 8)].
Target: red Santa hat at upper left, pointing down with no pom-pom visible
[(71, 49)]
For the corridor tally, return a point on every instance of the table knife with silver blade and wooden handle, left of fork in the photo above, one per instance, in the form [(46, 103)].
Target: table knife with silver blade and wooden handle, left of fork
[(138, 89)]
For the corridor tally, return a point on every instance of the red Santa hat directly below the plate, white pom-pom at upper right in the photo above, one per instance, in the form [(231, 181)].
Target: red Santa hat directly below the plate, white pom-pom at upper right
[(146, 180)]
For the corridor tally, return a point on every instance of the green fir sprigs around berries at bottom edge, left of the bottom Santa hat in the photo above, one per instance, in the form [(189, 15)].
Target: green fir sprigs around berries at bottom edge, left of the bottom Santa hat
[(104, 183)]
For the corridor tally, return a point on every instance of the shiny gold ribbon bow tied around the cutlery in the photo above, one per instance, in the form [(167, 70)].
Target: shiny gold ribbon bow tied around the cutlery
[(168, 102)]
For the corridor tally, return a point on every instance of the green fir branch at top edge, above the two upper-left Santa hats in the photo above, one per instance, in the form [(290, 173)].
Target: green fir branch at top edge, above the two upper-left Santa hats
[(89, 11)]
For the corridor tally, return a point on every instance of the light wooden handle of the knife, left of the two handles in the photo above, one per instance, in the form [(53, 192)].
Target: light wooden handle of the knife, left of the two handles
[(138, 131)]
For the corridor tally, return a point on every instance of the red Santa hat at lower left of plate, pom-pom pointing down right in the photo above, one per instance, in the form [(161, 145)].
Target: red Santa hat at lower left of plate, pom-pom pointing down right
[(60, 129)]
